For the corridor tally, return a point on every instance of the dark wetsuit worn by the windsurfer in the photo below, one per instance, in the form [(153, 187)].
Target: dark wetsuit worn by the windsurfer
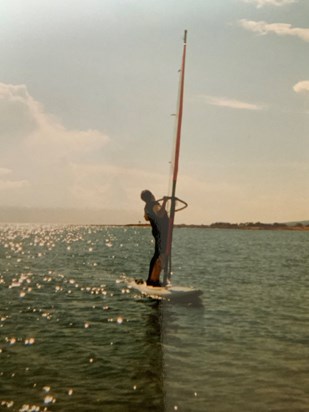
[(159, 226)]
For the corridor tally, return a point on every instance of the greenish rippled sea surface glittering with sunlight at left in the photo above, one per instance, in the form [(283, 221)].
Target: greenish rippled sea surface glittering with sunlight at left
[(74, 338)]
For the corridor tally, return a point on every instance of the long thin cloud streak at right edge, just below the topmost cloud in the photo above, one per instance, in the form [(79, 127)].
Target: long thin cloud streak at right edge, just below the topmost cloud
[(281, 29)]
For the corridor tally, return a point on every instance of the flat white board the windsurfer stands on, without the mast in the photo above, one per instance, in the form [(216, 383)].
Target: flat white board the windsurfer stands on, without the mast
[(164, 292)]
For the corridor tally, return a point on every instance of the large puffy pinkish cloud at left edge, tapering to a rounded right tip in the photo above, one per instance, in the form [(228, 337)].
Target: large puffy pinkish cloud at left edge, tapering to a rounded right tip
[(25, 118)]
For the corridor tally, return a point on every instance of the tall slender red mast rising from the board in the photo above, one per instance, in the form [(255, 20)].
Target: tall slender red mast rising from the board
[(168, 263)]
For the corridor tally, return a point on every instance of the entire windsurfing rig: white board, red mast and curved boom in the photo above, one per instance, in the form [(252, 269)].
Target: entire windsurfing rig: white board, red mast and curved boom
[(169, 291)]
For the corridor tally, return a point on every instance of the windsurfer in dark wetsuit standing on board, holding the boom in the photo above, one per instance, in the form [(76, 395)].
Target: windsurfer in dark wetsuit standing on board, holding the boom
[(159, 220)]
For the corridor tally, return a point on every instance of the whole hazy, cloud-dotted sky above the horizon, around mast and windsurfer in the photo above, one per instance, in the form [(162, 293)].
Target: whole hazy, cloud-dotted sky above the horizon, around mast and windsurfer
[(88, 90)]
